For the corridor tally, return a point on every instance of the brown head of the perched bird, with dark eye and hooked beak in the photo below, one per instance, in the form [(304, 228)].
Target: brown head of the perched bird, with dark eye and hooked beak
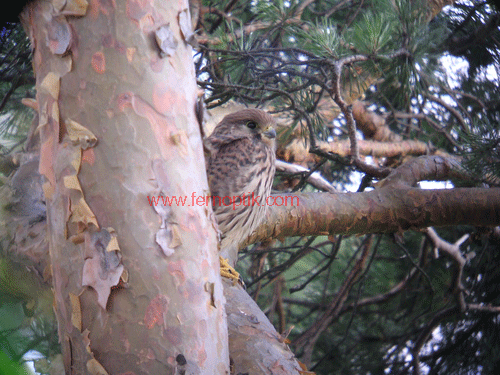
[(248, 123)]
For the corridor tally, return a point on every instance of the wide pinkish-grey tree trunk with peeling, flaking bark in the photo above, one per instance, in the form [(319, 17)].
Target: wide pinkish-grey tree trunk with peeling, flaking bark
[(136, 287)]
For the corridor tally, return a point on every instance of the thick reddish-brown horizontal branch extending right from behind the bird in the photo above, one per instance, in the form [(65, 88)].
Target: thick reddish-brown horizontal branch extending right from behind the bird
[(389, 209)]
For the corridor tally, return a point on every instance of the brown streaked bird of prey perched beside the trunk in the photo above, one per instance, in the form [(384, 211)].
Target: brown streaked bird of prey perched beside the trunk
[(240, 169)]
